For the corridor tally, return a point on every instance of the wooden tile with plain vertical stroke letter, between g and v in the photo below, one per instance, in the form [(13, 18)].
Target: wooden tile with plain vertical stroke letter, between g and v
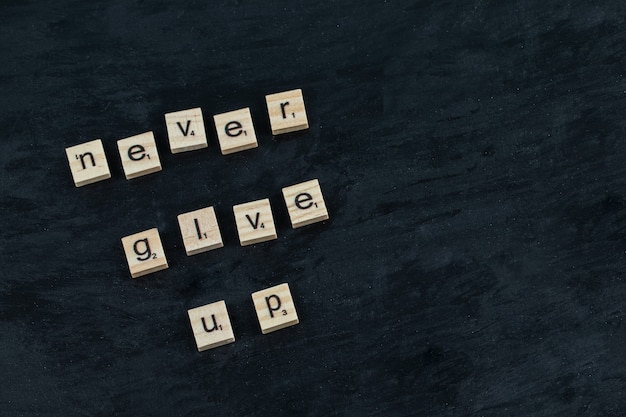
[(200, 231)]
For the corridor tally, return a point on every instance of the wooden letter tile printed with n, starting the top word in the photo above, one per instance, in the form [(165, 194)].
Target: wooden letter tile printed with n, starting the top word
[(88, 162)]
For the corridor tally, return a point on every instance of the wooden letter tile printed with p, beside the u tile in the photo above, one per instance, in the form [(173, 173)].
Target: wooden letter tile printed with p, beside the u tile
[(274, 308)]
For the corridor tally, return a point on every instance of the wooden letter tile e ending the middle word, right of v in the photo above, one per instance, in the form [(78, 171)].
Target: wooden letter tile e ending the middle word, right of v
[(305, 203)]
